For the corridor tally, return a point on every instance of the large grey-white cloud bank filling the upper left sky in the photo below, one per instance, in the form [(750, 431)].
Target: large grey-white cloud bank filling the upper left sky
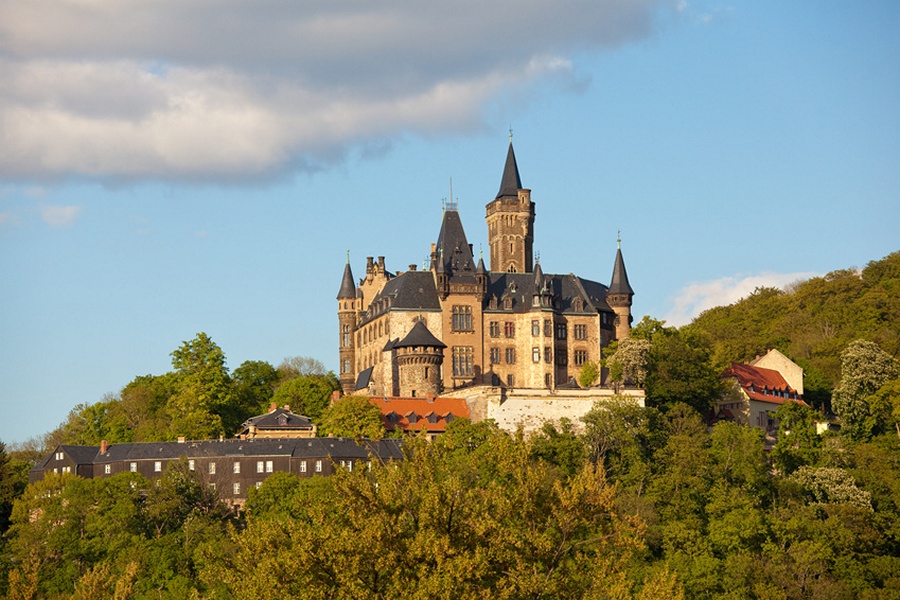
[(235, 89)]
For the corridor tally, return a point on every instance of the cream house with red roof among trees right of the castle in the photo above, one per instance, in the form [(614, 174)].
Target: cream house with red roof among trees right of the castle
[(760, 387)]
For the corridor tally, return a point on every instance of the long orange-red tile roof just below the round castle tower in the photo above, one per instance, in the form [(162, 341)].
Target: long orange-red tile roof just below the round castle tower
[(417, 414)]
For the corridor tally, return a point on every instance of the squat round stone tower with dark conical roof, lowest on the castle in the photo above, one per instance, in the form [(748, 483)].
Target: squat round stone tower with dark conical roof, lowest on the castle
[(419, 359)]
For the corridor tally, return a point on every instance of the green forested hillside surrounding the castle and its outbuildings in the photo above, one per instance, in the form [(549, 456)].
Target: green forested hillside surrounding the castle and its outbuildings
[(634, 502)]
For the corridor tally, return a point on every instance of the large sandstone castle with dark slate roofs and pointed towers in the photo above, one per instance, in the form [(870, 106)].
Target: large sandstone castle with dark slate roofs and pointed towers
[(459, 324)]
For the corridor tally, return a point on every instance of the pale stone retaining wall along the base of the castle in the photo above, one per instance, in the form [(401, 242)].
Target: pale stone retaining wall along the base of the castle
[(530, 409)]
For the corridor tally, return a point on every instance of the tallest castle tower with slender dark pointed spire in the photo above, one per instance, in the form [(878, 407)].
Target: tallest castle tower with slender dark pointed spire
[(510, 221)]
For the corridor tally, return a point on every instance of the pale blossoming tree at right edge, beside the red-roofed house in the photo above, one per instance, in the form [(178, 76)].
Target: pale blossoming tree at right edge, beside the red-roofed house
[(864, 369)]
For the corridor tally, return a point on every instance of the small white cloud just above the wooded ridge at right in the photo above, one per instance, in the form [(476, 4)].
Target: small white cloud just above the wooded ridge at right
[(697, 297)]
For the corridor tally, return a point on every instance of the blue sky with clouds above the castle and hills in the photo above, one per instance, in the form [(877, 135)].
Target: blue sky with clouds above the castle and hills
[(170, 167)]
